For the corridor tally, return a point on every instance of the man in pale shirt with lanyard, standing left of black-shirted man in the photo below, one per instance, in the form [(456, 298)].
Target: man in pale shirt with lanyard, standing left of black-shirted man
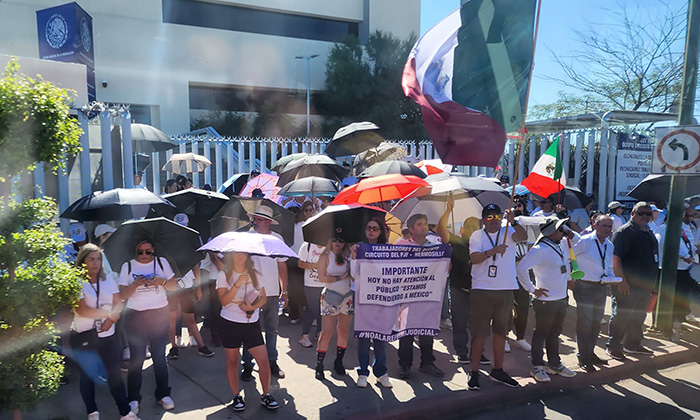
[(594, 253)]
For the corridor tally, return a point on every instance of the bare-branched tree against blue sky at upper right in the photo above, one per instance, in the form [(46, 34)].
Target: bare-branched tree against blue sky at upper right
[(635, 64)]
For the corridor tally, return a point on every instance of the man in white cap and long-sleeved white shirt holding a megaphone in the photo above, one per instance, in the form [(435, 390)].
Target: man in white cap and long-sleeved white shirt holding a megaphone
[(550, 264)]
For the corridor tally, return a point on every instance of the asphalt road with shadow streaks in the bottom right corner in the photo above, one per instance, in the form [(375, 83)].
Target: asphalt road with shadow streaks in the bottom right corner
[(668, 394)]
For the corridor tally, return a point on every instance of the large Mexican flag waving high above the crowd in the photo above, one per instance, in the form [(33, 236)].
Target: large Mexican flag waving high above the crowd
[(469, 74)]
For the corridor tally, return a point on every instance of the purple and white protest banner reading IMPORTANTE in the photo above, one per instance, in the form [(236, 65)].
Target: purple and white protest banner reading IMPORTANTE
[(399, 290)]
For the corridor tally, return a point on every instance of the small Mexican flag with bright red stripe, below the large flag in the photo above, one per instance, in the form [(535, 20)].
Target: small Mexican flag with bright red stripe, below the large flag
[(547, 176)]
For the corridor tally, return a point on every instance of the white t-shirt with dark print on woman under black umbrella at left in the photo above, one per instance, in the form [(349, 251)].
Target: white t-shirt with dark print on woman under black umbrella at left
[(145, 298)]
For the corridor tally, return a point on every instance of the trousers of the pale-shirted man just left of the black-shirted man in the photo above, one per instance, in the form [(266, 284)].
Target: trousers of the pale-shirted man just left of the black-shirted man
[(590, 306)]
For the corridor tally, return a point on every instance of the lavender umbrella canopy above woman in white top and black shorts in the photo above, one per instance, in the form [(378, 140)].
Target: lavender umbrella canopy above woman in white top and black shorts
[(250, 243)]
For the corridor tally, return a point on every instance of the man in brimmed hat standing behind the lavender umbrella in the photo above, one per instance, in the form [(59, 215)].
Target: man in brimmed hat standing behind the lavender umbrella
[(273, 277)]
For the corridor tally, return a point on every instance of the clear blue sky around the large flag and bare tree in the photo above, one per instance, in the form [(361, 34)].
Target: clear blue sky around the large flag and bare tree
[(559, 21)]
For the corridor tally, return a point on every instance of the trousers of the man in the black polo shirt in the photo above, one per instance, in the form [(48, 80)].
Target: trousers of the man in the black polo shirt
[(627, 320)]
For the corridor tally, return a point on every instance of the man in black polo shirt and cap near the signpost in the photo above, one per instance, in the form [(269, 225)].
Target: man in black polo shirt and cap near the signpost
[(636, 260)]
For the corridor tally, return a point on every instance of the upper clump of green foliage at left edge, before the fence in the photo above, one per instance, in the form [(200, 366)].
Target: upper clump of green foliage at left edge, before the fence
[(35, 125)]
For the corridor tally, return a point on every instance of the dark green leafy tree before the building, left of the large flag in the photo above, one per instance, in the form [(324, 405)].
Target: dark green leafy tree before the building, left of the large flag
[(363, 83)]
